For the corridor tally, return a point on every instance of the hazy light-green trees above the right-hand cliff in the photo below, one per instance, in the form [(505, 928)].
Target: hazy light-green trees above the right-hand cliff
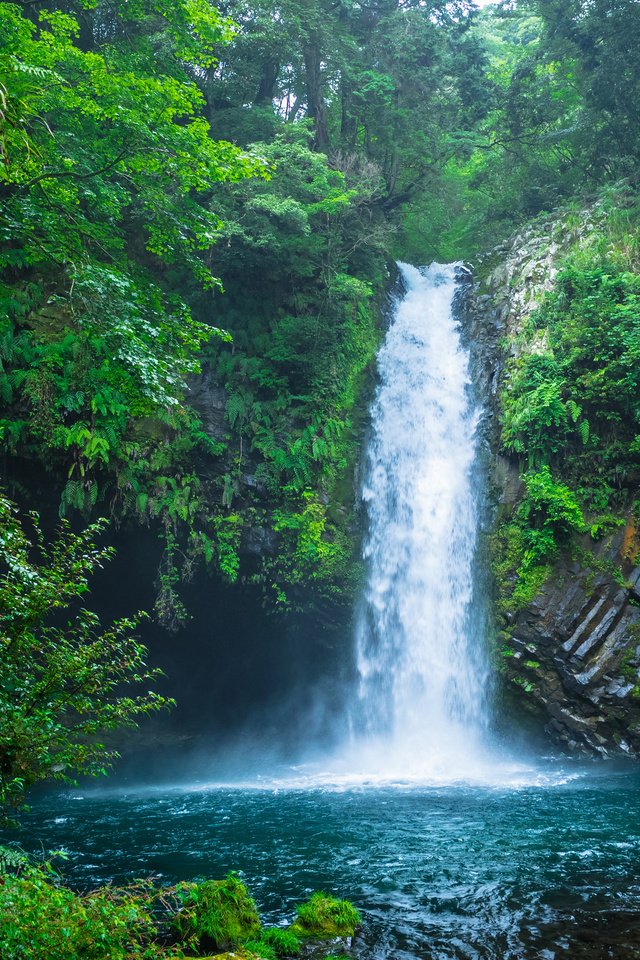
[(554, 89)]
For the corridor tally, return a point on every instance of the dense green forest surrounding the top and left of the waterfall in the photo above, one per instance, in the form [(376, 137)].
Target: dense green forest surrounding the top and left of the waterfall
[(199, 209)]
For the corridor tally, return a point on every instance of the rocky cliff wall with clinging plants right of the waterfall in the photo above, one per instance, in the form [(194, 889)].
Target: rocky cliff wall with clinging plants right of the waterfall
[(567, 625)]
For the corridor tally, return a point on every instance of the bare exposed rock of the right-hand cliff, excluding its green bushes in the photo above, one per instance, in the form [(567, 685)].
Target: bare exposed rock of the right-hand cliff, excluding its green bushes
[(570, 655)]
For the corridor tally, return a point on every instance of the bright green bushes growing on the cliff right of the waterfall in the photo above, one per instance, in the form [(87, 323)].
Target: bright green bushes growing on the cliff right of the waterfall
[(570, 410)]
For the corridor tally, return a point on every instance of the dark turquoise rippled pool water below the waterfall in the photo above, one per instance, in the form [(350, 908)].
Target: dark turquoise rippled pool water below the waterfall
[(547, 872)]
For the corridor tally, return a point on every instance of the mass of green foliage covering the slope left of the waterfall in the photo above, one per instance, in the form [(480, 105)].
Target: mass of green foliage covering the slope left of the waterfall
[(109, 291)]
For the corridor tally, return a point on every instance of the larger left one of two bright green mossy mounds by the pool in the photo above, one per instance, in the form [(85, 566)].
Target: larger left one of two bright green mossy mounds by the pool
[(219, 914)]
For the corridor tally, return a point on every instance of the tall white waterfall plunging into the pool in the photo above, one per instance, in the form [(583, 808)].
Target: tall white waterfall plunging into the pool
[(421, 709)]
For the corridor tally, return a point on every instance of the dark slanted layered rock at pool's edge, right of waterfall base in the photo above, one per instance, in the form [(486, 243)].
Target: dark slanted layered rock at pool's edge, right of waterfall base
[(577, 647)]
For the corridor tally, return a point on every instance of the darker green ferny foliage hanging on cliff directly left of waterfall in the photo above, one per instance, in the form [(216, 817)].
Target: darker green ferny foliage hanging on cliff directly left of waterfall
[(304, 328)]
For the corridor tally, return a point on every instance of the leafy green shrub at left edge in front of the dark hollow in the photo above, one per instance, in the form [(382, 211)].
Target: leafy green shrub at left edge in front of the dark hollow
[(63, 685)]
